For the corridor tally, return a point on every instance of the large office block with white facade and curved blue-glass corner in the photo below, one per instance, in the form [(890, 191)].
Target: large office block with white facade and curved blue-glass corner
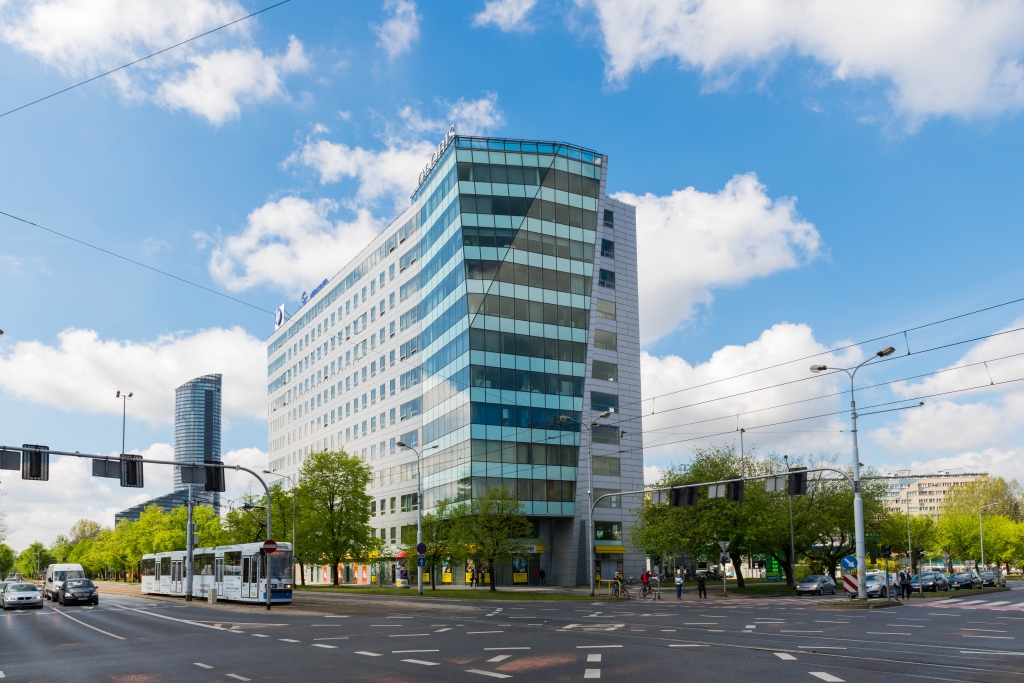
[(489, 327)]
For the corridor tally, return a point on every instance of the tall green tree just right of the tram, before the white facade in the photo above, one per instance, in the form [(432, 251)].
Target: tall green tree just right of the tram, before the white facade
[(333, 493)]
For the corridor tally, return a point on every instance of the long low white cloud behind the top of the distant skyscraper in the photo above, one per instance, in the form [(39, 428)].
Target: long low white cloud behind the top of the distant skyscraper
[(83, 372)]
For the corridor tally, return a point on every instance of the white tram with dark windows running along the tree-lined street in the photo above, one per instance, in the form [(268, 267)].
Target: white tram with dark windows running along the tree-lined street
[(239, 573)]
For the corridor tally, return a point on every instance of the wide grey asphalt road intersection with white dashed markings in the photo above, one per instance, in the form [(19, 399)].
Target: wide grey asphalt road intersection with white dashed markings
[(136, 641)]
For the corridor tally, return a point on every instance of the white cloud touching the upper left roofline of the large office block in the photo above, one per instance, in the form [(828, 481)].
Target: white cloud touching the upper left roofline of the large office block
[(291, 244)]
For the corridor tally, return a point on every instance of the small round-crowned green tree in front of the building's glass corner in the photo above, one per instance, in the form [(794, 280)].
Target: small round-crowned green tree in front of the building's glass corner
[(495, 528)]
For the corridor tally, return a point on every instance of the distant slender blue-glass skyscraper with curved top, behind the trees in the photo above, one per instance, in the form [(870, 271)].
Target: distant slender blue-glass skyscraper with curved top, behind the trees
[(197, 428)]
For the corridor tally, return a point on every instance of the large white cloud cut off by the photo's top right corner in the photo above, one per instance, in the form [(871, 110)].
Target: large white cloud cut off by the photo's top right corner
[(940, 58)]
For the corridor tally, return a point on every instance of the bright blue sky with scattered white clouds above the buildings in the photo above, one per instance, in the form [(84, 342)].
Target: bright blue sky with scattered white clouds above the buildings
[(807, 177)]
